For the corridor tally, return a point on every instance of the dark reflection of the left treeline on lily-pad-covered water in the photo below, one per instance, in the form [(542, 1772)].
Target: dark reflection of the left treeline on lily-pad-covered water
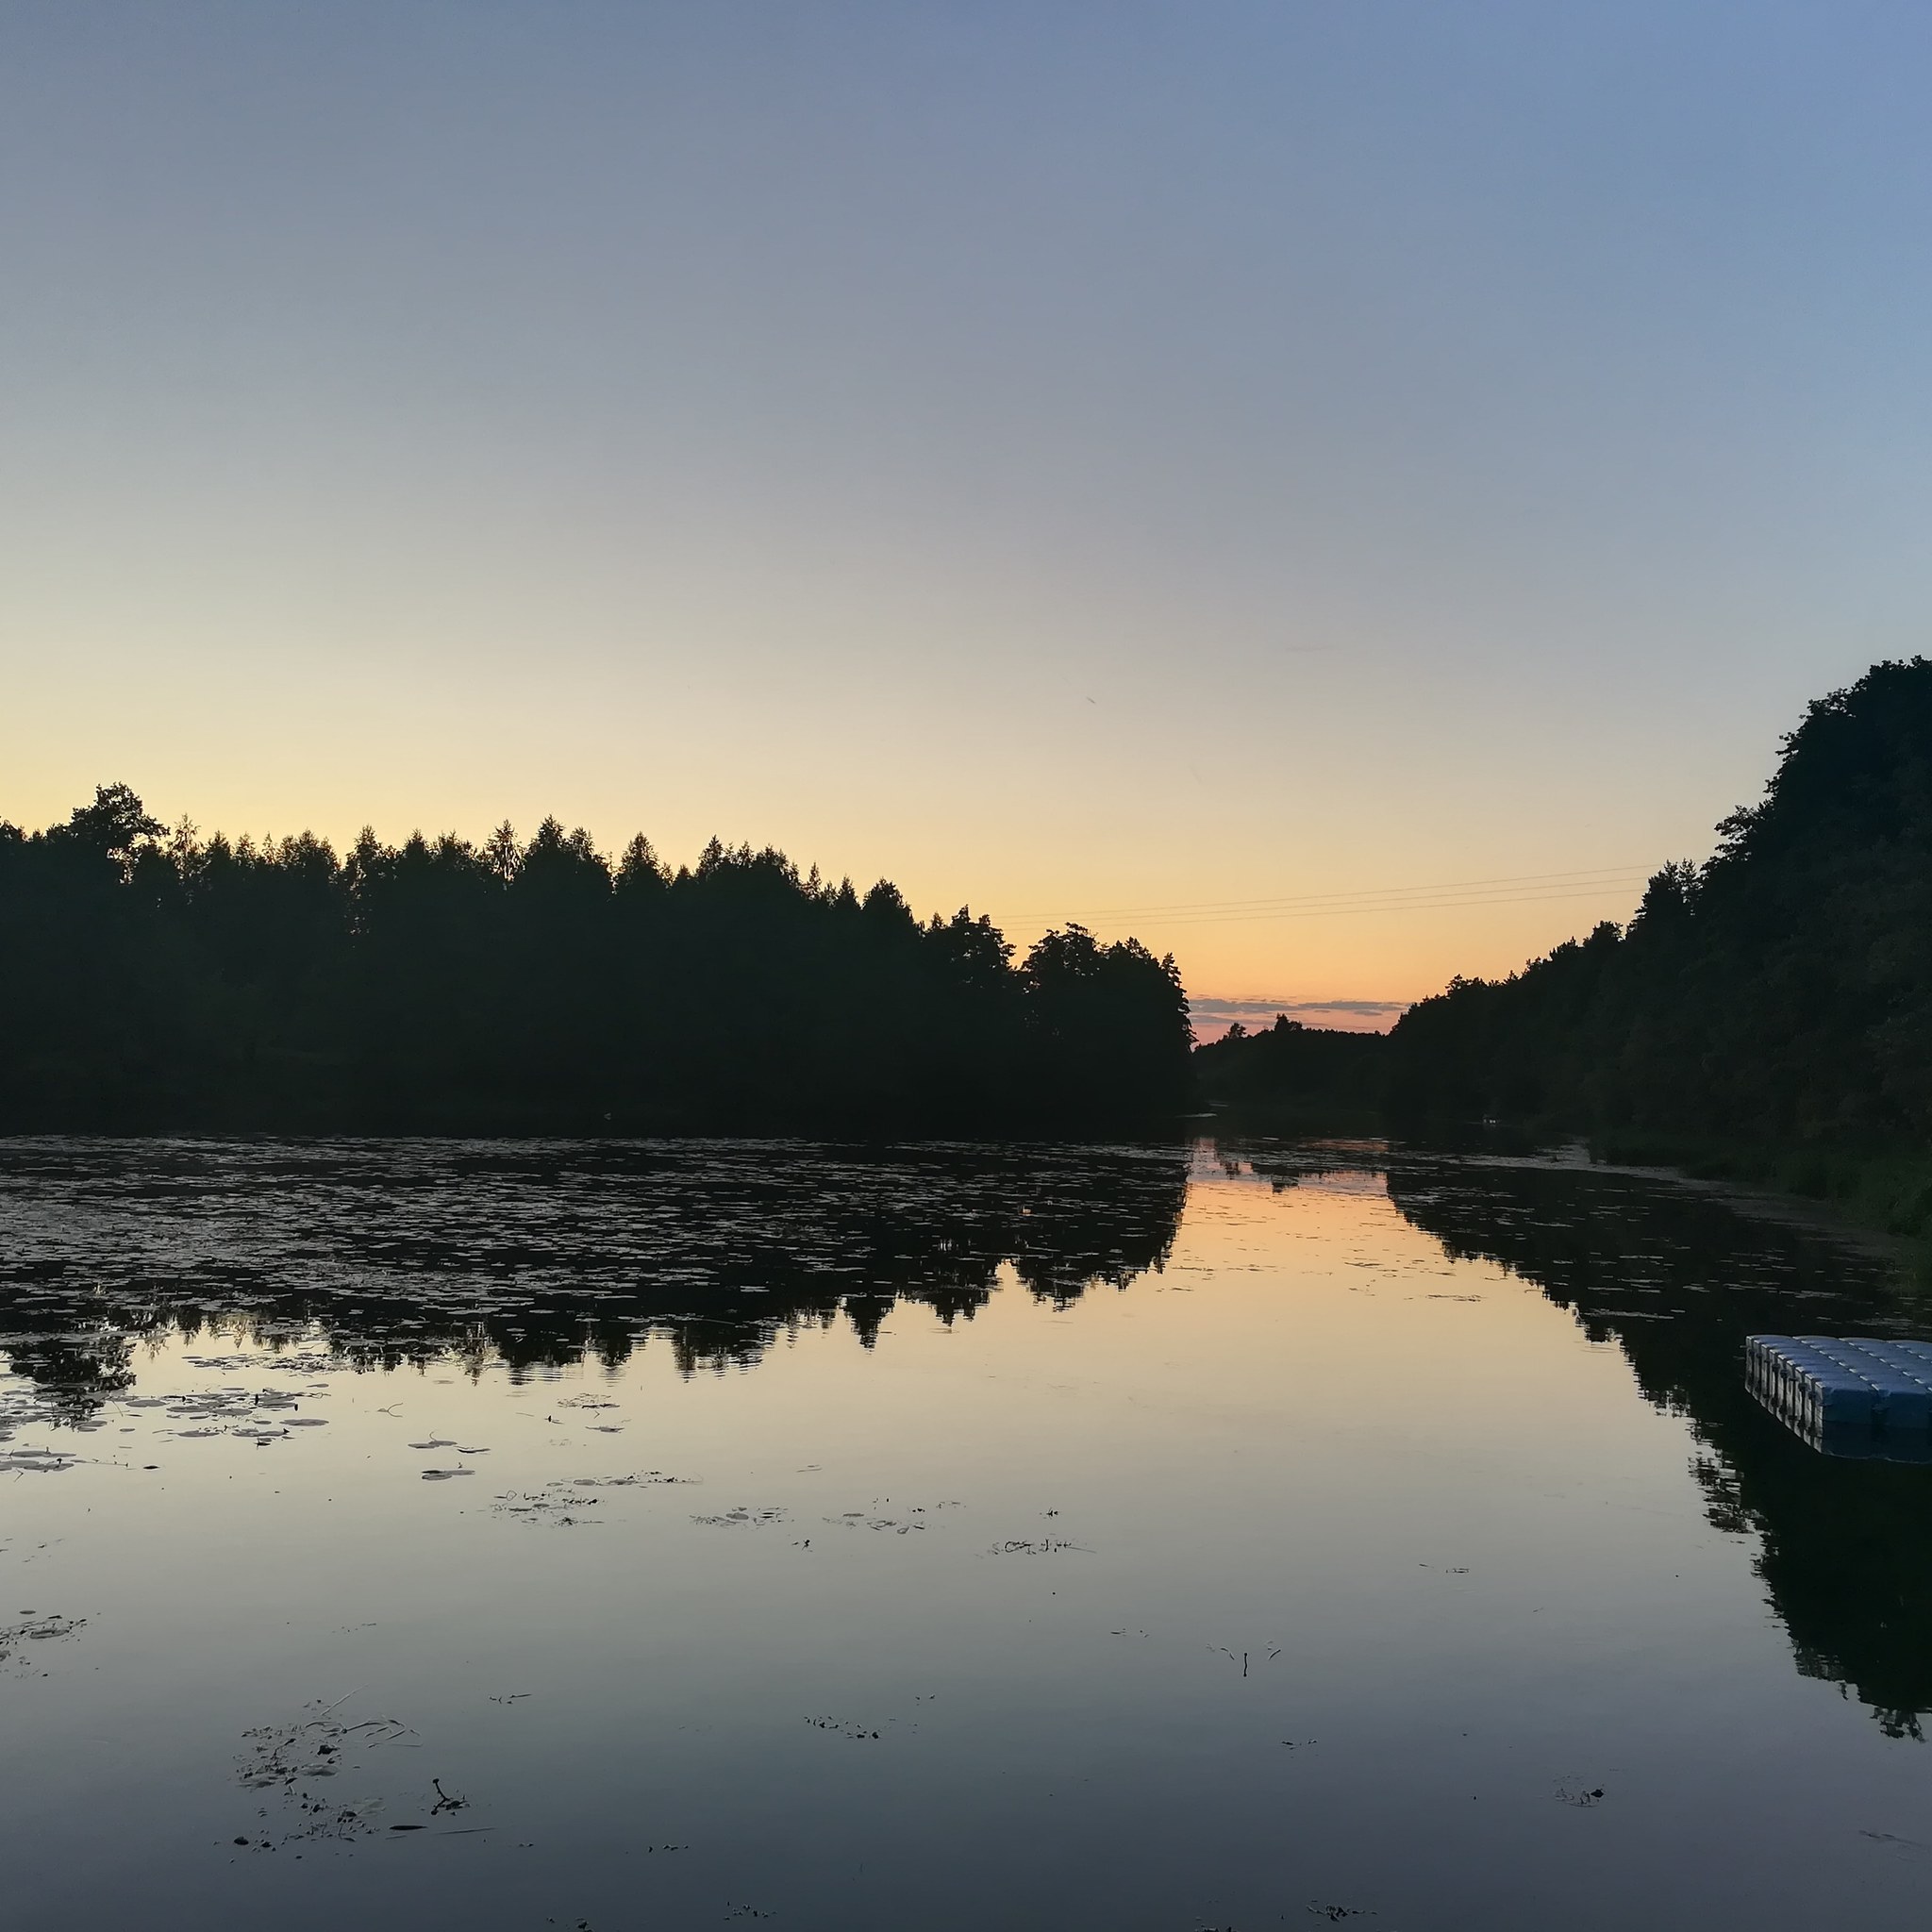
[(538, 1253)]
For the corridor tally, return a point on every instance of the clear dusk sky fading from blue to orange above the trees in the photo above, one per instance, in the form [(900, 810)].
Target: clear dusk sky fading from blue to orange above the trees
[(1340, 492)]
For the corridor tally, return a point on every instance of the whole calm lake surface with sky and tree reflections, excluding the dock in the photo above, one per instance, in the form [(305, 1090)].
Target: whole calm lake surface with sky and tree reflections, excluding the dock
[(654, 1537)]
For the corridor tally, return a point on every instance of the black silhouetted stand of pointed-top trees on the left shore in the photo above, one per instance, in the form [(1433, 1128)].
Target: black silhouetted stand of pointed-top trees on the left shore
[(156, 980)]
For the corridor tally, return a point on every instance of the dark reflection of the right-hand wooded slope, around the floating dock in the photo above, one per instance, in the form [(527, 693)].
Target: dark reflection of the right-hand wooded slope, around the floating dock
[(1846, 1547)]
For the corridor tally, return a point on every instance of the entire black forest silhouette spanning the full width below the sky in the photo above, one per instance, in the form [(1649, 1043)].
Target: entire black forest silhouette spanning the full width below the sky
[(1780, 994)]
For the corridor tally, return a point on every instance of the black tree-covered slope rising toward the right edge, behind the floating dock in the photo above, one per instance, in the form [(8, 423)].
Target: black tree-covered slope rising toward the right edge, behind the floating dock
[(1780, 994)]
